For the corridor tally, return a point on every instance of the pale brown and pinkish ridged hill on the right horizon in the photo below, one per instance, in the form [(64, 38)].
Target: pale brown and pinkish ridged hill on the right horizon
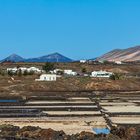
[(130, 54)]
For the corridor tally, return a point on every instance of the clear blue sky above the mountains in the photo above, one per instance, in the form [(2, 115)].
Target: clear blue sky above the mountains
[(76, 28)]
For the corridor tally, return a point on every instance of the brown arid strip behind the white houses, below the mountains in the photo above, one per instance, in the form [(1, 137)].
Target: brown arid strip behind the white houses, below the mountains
[(75, 66)]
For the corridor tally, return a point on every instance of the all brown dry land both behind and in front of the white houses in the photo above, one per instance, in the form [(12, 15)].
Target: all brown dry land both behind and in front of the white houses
[(26, 84)]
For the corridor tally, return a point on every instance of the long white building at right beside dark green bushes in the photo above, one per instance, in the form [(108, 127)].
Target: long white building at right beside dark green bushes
[(103, 74)]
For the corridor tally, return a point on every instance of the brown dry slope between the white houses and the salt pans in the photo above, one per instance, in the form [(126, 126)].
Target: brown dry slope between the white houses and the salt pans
[(23, 85)]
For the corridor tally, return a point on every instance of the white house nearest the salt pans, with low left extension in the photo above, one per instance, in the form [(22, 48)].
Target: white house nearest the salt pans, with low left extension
[(47, 77)]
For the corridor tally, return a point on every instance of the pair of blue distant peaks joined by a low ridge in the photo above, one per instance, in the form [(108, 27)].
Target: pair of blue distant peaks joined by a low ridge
[(55, 57)]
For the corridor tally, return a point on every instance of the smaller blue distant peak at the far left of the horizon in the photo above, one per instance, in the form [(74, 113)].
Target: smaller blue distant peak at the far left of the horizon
[(13, 58)]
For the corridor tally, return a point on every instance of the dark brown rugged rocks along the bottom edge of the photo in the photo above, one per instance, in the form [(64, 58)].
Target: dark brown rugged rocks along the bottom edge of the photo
[(9, 132)]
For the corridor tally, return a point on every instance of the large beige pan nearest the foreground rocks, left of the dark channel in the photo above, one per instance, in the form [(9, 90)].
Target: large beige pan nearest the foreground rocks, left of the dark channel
[(68, 125)]
